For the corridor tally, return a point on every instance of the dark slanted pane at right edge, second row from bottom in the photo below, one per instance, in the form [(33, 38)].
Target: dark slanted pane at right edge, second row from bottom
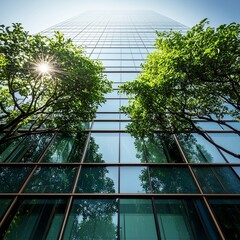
[(217, 179)]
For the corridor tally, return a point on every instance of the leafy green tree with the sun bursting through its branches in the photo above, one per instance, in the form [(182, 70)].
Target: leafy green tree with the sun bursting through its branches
[(46, 83)]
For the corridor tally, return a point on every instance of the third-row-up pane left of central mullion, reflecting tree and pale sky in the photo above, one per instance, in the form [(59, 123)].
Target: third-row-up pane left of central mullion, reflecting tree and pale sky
[(103, 148)]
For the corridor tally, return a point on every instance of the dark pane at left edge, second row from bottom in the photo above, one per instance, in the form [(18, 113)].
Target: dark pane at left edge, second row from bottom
[(11, 178)]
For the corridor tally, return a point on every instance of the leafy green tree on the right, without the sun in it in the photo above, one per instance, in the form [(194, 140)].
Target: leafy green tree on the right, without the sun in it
[(189, 76)]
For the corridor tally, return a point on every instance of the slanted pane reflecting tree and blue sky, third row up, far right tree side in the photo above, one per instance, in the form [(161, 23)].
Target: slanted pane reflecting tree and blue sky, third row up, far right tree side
[(199, 150)]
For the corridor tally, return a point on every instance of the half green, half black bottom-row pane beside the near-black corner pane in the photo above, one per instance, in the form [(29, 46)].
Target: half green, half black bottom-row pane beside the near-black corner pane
[(180, 219)]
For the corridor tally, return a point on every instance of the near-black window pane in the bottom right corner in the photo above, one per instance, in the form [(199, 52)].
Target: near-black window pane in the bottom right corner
[(227, 212)]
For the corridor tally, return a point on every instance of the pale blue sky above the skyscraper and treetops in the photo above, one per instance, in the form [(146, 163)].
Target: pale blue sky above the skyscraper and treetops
[(37, 15)]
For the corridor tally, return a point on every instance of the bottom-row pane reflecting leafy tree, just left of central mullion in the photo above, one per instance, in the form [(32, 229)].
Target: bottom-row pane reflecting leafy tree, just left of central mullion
[(92, 219)]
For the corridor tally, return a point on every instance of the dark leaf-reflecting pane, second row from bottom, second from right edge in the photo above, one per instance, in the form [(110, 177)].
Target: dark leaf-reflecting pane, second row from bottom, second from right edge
[(172, 180)]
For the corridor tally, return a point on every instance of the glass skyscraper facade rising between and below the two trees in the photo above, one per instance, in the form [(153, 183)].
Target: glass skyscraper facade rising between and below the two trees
[(104, 184)]
